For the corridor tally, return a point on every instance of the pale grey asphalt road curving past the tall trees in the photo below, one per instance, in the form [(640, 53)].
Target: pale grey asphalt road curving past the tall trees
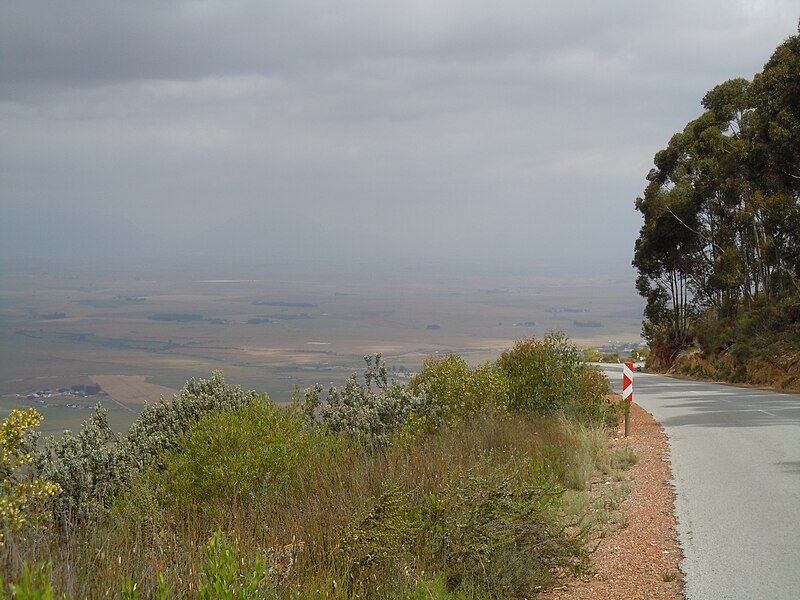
[(736, 466)]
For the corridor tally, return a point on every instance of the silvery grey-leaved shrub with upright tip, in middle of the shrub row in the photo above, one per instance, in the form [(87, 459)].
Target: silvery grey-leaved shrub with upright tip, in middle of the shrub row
[(369, 411)]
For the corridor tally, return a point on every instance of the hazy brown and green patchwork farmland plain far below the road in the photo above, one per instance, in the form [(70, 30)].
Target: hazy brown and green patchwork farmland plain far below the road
[(141, 330)]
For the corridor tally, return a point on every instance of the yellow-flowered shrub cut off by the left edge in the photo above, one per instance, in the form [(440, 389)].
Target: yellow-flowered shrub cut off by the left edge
[(21, 499)]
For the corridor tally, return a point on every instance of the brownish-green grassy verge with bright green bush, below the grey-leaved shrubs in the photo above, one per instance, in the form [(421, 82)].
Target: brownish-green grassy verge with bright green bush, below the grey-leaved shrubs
[(494, 508)]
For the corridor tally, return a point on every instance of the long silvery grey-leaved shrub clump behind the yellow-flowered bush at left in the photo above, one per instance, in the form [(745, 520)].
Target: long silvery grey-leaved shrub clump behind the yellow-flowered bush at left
[(93, 466)]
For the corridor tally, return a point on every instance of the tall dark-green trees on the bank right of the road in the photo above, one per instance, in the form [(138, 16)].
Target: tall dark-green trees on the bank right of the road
[(719, 251)]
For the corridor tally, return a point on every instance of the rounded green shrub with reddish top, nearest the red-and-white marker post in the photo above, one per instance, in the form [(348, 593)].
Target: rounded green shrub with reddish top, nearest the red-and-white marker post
[(542, 374)]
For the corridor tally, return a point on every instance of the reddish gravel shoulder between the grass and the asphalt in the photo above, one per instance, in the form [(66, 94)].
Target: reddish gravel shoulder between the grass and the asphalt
[(640, 559)]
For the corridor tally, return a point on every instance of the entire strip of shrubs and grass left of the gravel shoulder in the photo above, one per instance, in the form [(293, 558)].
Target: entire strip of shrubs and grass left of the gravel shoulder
[(464, 484)]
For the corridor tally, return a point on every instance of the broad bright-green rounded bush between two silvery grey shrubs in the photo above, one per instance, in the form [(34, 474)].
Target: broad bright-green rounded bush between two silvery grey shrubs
[(230, 456)]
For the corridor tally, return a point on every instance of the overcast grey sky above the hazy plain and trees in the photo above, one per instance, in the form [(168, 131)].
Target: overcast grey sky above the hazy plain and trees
[(458, 128)]
